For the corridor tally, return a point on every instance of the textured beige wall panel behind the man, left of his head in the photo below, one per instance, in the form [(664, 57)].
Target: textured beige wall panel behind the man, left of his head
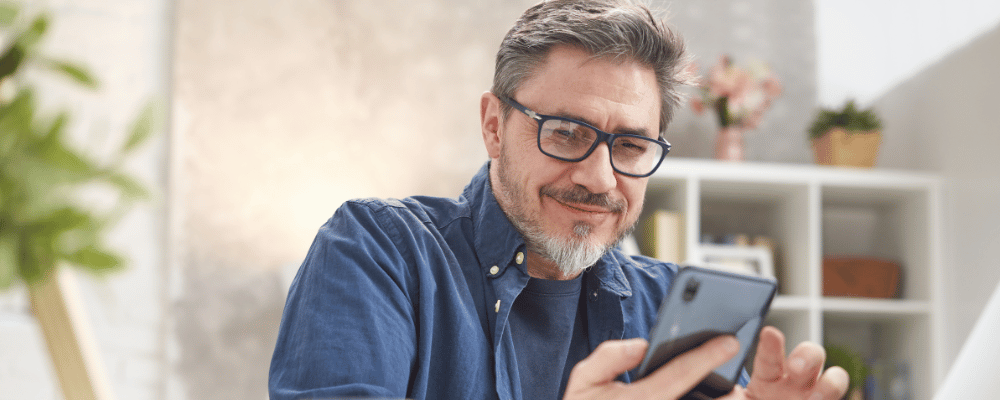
[(283, 110)]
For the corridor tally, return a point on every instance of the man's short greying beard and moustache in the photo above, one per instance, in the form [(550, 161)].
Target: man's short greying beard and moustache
[(573, 254)]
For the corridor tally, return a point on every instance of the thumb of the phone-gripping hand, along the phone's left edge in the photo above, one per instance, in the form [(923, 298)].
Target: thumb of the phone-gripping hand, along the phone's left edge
[(609, 359)]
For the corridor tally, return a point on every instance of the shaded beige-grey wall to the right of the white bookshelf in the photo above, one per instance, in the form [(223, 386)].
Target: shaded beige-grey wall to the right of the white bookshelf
[(944, 120)]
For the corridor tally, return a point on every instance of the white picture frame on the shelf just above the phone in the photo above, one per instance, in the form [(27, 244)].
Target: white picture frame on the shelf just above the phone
[(748, 260)]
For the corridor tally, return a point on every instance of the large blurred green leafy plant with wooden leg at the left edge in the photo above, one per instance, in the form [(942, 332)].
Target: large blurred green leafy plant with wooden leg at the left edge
[(43, 224)]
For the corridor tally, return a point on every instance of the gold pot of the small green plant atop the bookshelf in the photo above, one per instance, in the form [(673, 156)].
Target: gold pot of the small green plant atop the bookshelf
[(841, 147)]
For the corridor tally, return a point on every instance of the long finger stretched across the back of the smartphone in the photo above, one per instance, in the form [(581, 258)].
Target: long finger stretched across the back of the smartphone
[(684, 372)]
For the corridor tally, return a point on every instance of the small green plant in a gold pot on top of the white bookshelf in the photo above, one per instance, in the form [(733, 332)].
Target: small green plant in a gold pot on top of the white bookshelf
[(848, 137)]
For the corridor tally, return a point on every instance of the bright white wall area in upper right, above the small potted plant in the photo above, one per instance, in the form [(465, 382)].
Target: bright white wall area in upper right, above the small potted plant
[(866, 47)]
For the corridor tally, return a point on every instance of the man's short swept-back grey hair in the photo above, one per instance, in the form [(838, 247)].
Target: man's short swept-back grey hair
[(619, 30)]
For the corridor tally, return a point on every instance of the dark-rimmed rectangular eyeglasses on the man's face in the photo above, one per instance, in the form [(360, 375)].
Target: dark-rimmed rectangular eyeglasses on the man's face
[(571, 140)]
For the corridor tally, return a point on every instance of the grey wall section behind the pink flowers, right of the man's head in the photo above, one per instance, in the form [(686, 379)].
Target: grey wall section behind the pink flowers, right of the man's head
[(778, 32)]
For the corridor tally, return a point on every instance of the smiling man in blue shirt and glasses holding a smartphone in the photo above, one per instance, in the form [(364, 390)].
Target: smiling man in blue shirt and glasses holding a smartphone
[(515, 290)]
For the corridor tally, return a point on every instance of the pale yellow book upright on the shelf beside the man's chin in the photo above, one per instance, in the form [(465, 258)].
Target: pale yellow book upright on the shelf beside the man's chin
[(663, 236)]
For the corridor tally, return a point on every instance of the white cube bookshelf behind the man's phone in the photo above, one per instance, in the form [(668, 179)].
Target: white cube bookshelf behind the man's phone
[(812, 211)]
